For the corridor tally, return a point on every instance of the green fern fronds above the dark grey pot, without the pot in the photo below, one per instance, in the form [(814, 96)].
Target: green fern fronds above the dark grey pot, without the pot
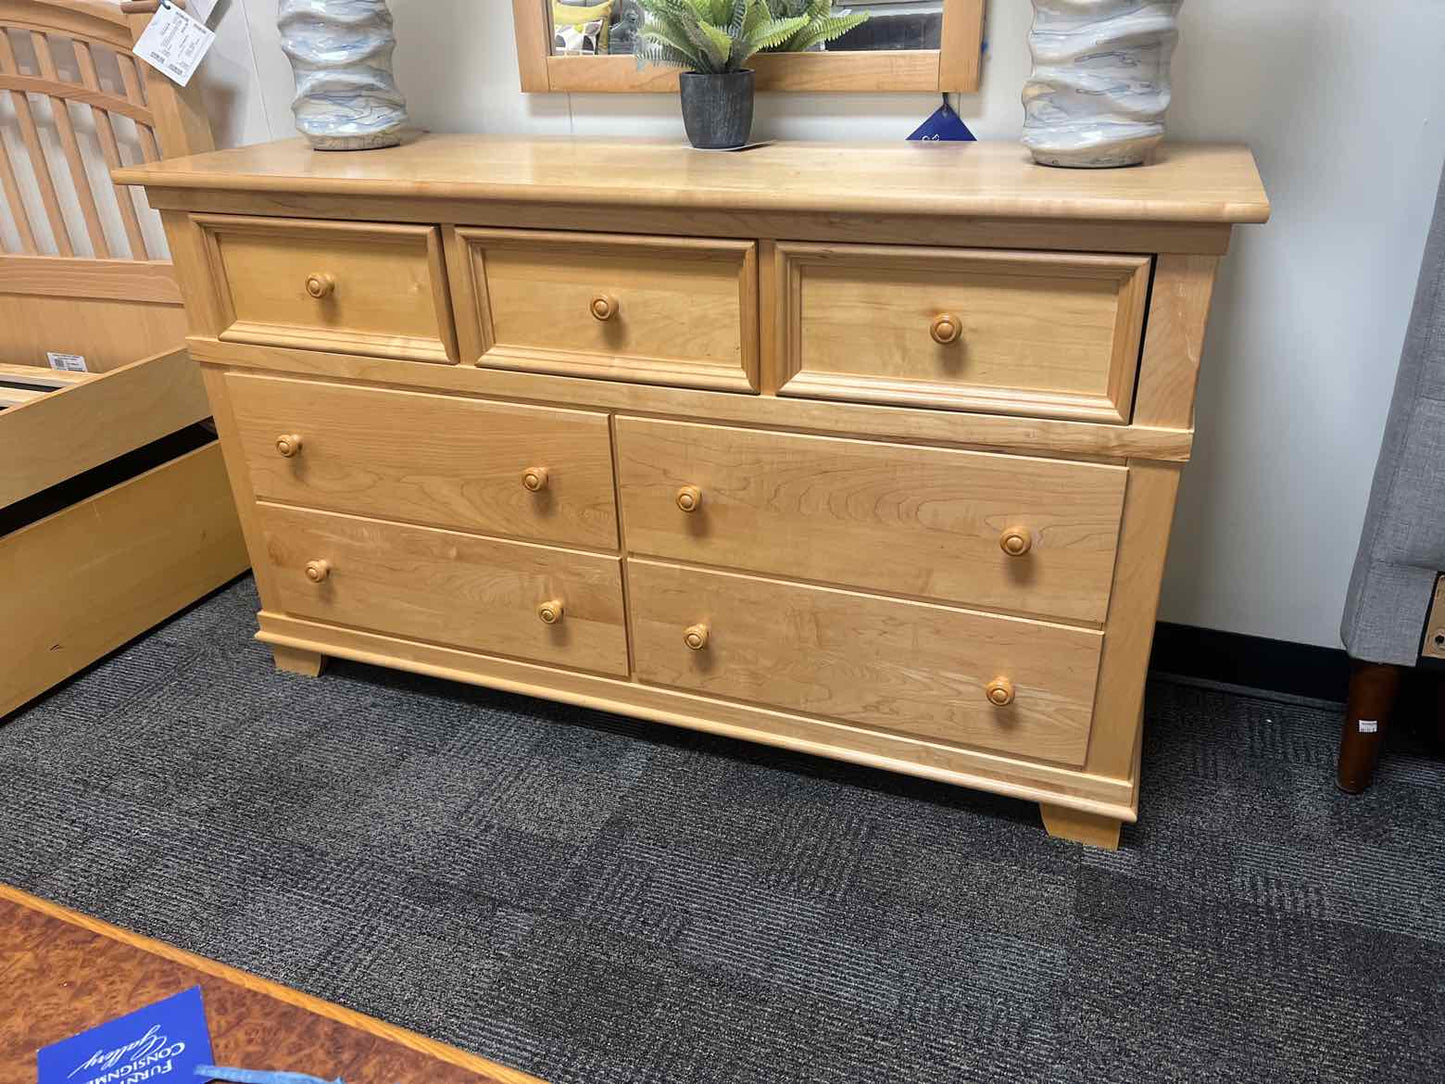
[(712, 37)]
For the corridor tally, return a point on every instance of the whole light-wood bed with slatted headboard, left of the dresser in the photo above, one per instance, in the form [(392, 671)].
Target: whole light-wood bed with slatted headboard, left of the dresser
[(115, 508)]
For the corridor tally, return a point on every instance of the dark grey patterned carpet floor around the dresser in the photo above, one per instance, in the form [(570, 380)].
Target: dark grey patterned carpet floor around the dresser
[(608, 901)]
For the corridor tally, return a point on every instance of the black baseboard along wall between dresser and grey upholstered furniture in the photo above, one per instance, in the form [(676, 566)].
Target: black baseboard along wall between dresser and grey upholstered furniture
[(1297, 670)]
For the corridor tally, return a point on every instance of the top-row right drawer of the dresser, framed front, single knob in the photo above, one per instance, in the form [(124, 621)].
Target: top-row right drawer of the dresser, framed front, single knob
[(1048, 335)]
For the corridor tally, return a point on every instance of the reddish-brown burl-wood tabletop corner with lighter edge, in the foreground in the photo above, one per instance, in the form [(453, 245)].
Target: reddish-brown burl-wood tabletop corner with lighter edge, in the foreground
[(67, 972)]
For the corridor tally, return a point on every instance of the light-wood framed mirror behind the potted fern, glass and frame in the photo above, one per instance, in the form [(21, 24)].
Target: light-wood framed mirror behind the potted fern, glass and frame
[(904, 46)]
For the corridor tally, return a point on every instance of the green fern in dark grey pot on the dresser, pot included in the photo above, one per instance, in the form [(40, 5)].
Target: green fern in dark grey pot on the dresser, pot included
[(715, 40)]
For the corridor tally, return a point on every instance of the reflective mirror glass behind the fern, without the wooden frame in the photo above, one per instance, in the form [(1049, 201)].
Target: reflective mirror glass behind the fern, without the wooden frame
[(590, 28)]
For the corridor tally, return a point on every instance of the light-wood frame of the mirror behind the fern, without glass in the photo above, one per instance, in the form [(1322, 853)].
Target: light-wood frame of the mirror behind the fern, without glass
[(953, 67)]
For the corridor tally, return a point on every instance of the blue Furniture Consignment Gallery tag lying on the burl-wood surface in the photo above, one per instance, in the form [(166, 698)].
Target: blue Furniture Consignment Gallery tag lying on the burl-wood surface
[(164, 1041)]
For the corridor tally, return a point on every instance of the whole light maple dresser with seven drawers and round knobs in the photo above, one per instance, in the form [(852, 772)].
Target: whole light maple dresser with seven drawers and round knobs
[(868, 452)]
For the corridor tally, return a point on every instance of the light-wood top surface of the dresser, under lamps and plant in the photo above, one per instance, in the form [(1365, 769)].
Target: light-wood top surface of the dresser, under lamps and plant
[(1189, 183)]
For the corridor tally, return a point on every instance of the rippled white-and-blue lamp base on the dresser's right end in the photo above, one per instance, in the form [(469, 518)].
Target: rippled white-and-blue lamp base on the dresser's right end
[(1100, 82)]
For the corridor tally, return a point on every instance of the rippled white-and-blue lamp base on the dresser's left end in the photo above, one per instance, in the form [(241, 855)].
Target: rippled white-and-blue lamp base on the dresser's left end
[(342, 56)]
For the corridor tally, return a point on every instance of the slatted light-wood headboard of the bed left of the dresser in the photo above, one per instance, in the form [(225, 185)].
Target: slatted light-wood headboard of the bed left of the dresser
[(85, 268)]
